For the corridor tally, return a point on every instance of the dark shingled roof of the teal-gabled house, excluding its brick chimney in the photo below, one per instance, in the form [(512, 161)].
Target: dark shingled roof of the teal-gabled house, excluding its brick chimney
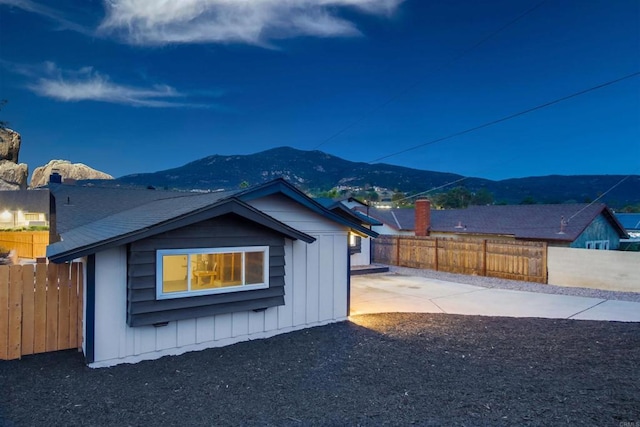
[(532, 222)]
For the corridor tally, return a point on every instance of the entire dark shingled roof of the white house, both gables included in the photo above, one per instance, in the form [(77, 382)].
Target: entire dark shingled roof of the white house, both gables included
[(94, 218)]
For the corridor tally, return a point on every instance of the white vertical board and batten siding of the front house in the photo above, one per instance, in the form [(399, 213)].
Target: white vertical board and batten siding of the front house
[(315, 294)]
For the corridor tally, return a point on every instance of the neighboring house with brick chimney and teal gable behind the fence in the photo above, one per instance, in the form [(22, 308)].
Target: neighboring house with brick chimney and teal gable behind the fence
[(590, 226)]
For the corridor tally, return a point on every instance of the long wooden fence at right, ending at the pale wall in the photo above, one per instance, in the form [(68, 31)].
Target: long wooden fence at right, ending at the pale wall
[(514, 260)]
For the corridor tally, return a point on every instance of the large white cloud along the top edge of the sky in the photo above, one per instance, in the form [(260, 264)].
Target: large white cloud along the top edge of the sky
[(158, 22)]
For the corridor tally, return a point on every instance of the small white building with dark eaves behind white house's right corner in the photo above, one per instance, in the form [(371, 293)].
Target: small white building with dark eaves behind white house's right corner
[(359, 245)]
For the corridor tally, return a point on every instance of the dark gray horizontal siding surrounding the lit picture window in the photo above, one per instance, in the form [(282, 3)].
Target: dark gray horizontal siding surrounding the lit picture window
[(224, 231)]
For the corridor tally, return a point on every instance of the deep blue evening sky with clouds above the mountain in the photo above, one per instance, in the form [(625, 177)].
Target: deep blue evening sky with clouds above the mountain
[(129, 86)]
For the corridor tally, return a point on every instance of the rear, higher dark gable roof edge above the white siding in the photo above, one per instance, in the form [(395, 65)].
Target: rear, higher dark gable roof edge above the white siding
[(283, 187)]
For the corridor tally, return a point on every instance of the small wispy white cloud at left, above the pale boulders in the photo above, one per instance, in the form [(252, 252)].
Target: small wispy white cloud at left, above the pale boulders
[(87, 84)]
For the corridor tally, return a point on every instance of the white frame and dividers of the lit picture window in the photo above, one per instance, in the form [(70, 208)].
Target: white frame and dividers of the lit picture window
[(197, 251)]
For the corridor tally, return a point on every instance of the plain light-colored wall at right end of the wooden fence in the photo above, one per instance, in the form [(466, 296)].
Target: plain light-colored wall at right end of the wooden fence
[(609, 270)]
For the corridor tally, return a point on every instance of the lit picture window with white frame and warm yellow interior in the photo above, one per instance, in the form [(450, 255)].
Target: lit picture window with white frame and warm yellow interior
[(192, 272)]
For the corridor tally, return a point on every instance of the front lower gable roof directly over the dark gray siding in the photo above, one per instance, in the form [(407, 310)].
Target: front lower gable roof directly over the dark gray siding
[(157, 217)]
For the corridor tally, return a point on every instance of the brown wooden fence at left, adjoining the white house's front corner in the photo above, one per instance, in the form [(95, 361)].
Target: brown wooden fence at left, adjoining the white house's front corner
[(40, 308)]
